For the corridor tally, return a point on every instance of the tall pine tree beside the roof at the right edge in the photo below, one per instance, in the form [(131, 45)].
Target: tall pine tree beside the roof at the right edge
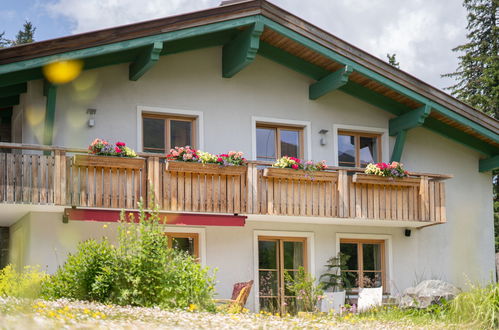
[(477, 74)]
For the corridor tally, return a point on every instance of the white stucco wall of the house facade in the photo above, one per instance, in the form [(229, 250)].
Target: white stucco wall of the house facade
[(459, 251)]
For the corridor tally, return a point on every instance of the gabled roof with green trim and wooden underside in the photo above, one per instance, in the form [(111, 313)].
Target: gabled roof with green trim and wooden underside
[(284, 38)]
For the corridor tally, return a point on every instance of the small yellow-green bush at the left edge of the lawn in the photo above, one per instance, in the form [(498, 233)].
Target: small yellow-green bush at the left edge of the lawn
[(25, 284)]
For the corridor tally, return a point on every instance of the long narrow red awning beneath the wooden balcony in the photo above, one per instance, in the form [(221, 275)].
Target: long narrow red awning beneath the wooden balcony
[(169, 218)]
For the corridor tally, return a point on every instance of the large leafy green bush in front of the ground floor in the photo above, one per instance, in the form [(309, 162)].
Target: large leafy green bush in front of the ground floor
[(141, 271)]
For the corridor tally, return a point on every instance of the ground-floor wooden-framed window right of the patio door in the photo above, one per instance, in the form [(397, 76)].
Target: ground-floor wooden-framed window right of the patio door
[(366, 264)]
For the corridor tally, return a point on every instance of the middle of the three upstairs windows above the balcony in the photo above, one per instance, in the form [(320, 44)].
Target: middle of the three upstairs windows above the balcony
[(273, 142)]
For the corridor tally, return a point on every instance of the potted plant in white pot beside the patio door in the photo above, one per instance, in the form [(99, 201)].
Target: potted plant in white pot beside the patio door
[(335, 282)]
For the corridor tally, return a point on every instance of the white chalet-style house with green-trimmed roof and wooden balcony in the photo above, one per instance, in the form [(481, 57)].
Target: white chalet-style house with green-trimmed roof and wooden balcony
[(246, 76)]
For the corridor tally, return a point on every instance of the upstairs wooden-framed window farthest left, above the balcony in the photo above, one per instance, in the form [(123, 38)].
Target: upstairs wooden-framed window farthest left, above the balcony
[(161, 133)]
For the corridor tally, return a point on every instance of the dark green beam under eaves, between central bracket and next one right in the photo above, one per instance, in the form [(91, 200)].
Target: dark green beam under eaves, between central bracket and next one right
[(292, 62)]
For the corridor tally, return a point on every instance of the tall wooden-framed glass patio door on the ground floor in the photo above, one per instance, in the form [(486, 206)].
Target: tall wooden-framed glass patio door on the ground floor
[(278, 256)]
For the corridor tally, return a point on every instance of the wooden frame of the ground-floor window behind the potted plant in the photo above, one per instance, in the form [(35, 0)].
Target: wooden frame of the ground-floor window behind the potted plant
[(360, 259)]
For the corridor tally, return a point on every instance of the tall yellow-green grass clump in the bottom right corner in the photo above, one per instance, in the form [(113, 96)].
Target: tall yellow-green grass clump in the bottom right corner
[(478, 307)]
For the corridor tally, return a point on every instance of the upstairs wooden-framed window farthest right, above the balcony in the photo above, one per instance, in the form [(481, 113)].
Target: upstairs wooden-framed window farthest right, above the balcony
[(358, 149)]
